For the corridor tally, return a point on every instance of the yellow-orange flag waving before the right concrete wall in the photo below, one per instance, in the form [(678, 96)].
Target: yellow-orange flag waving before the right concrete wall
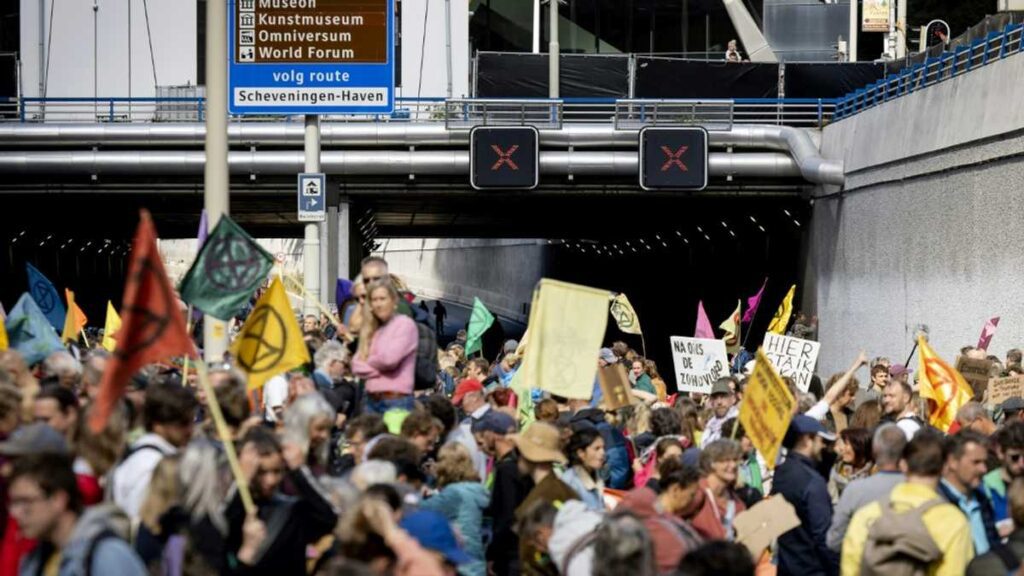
[(945, 388)]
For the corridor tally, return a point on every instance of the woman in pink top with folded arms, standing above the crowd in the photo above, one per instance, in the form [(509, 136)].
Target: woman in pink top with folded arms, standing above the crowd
[(387, 358)]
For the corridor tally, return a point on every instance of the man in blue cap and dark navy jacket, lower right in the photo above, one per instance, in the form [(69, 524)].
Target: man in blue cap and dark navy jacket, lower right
[(805, 551)]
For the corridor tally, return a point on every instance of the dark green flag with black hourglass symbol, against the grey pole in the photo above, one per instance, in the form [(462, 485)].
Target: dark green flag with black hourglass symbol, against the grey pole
[(229, 269)]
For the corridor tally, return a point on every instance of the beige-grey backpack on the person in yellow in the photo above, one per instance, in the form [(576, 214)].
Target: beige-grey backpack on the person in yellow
[(899, 544)]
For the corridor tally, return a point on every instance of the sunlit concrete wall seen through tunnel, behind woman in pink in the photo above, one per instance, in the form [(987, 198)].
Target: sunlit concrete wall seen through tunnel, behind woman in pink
[(501, 273)]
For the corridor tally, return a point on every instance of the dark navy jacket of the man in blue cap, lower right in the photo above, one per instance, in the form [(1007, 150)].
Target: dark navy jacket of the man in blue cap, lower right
[(804, 551)]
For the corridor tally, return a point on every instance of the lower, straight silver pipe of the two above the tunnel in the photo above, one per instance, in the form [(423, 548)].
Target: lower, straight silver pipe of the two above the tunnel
[(364, 163)]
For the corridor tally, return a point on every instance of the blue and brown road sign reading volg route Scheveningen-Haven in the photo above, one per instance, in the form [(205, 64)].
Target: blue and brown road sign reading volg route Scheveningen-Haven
[(311, 57)]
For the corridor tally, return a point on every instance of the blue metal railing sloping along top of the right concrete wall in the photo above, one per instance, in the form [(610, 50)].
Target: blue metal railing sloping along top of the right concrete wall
[(983, 52)]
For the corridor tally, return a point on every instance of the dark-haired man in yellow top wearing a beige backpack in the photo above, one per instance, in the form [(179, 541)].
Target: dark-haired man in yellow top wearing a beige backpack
[(945, 547)]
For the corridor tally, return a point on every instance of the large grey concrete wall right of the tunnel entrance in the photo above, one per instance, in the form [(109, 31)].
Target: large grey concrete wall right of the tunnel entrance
[(927, 229)]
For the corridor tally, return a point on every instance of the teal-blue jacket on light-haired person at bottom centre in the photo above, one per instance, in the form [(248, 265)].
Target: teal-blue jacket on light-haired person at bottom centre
[(463, 505)]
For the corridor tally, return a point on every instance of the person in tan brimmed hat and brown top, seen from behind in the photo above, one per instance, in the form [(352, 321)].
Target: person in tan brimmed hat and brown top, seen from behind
[(540, 450)]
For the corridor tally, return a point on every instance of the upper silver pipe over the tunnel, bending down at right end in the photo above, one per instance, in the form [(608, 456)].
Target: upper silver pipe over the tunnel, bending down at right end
[(795, 141)]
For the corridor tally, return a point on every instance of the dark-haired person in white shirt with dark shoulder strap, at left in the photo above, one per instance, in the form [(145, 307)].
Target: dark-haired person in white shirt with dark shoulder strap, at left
[(168, 415)]
